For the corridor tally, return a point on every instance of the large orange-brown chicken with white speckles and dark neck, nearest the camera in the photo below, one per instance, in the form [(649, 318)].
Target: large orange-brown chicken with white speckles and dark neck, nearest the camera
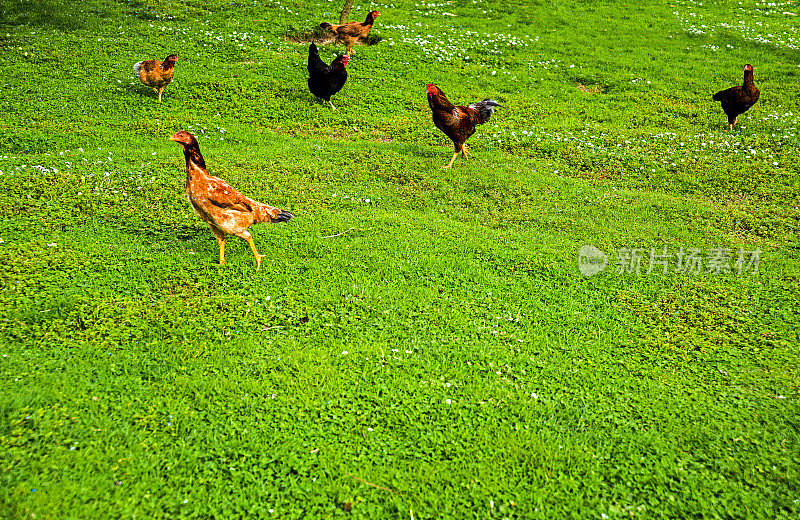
[(225, 210)]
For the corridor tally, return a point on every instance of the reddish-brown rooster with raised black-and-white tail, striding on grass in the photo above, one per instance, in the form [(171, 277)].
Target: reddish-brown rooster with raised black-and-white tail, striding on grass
[(457, 122)]
